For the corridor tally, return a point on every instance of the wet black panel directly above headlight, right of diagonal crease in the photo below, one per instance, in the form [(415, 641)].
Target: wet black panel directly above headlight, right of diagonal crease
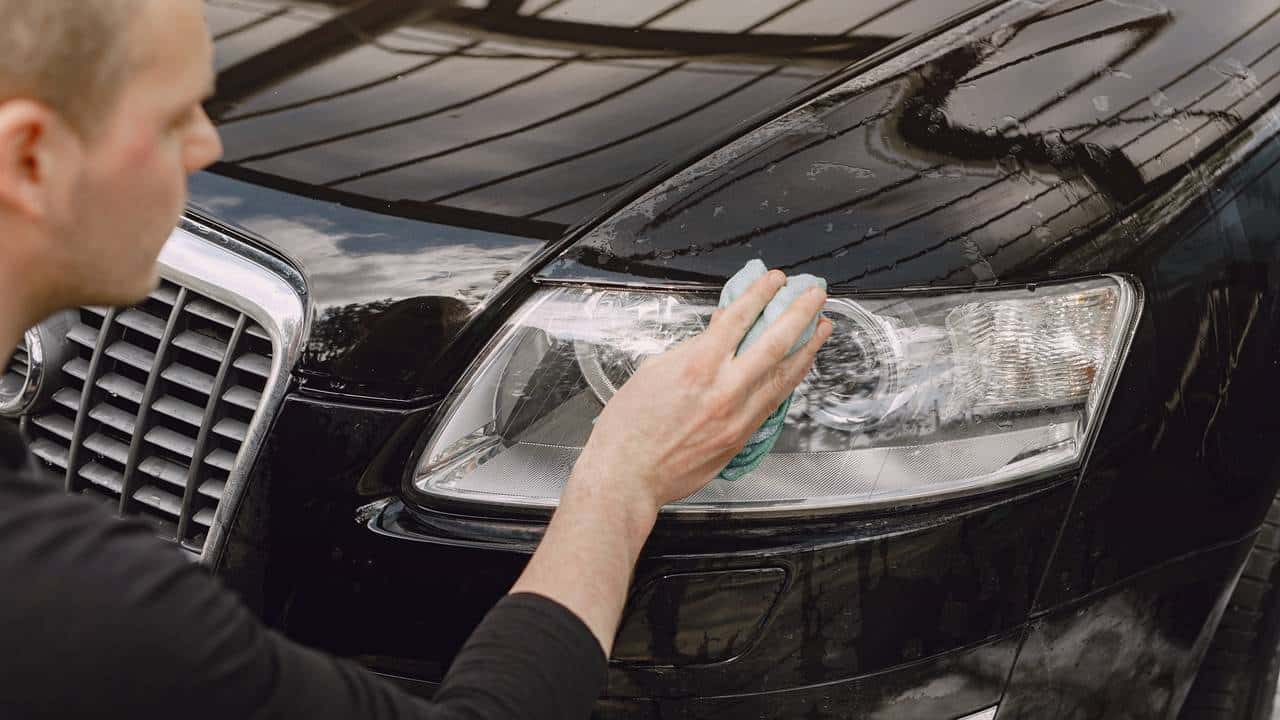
[(1014, 149)]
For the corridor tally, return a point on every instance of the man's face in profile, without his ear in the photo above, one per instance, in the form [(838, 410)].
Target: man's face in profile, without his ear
[(132, 185)]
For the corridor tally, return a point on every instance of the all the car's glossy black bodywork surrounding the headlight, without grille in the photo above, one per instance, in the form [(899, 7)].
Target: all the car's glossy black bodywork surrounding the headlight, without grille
[(429, 168)]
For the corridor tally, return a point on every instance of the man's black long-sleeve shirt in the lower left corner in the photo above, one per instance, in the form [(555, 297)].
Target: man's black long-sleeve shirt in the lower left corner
[(100, 619)]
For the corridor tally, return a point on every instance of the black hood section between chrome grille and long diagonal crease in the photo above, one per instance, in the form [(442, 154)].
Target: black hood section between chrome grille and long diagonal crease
[(410, 156)]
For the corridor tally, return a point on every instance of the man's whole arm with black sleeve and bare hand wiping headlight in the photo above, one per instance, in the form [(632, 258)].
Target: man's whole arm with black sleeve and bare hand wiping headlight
[(98, 616)]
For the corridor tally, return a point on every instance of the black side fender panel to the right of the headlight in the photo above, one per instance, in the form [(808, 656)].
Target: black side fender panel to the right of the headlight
[(1188, 444)]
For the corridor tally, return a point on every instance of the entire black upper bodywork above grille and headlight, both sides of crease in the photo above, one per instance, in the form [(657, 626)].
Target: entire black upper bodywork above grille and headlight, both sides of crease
[(412, 160)]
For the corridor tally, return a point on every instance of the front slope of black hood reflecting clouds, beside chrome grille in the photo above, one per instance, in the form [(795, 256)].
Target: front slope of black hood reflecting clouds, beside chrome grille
[(388, 295)]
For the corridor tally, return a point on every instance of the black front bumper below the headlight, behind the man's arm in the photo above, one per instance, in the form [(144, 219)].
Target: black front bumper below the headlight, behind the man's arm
[(912, 614)]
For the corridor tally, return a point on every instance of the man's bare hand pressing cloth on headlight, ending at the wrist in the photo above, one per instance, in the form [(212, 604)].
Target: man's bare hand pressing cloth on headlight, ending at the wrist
[(687, 413)]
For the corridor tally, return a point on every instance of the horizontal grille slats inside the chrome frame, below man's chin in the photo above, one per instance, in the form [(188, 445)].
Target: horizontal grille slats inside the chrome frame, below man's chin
[(173, 388)]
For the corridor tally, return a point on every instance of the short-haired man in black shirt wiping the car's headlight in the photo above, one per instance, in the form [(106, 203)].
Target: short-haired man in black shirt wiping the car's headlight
[(100, 125)]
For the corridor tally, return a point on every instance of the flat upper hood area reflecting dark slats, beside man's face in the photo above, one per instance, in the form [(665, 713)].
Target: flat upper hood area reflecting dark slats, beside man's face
[(519, 111)]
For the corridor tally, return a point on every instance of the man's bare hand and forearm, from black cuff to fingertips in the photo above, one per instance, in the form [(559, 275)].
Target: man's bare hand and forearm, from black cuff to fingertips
[(668, 432)]
